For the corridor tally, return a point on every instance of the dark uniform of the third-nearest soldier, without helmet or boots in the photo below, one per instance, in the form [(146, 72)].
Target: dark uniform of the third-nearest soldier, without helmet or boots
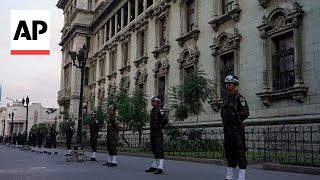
[(112, 135)]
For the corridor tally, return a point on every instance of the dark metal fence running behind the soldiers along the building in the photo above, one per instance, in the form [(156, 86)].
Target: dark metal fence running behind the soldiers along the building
[(286, 144)]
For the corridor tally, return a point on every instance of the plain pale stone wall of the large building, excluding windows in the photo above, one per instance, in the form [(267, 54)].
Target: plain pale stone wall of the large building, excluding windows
[(249, 62)]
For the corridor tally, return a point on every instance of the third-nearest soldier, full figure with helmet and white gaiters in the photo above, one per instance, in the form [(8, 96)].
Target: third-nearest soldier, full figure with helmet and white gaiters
[(112, 136)]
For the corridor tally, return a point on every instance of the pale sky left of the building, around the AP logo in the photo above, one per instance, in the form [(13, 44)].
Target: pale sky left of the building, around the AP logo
[(35, 76)]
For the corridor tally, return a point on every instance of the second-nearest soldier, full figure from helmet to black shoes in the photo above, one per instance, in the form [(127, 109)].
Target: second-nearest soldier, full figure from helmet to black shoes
[(157, 121)]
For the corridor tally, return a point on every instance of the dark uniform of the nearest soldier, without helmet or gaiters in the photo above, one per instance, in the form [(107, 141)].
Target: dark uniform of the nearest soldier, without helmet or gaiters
[(234, 110)]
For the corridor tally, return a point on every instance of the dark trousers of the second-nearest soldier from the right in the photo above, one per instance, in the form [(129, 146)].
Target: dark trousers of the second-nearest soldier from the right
[(157, 145)]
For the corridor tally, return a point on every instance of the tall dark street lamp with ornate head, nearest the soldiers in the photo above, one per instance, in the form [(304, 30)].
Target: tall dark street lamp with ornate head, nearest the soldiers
[(81, 58)]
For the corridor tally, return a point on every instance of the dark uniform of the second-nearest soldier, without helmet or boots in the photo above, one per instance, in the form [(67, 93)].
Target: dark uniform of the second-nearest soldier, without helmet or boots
[(157, 122)]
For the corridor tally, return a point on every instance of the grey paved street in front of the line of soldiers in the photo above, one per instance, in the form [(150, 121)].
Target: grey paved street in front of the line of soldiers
[(26, 165)]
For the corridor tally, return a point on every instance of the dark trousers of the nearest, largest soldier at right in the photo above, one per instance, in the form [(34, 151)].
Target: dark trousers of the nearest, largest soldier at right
[(235, 151)]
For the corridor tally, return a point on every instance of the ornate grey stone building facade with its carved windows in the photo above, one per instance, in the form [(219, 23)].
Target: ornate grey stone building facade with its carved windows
[(273, 46)]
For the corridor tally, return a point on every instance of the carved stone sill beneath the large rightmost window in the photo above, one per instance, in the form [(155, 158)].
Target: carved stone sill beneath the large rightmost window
[(297, 93)]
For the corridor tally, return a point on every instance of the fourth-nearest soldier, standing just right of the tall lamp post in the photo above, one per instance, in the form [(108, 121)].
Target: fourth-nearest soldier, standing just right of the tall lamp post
[(94, 130)]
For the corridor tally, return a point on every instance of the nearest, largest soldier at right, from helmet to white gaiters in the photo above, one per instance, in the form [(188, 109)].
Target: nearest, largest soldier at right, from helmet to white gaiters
[(233, 112)]
